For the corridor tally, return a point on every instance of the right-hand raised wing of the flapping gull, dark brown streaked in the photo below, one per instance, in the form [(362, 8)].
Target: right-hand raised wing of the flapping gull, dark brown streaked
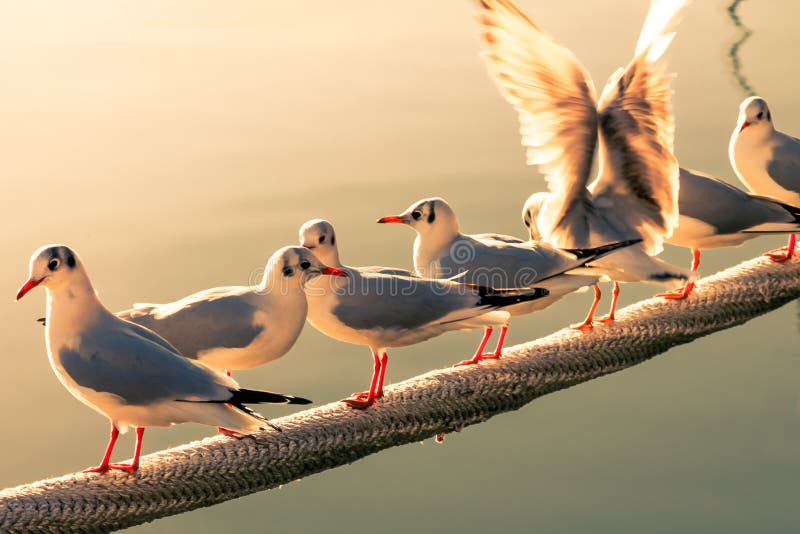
[(638, 171)]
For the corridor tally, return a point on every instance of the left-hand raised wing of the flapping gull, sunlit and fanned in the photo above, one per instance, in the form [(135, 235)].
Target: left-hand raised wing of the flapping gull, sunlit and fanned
[(556, 102)]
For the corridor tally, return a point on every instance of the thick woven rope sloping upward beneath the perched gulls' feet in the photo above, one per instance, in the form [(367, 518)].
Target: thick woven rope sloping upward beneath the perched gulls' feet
[(218, 469)]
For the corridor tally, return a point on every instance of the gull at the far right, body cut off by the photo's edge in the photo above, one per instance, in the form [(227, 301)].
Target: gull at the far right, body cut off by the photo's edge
[(766, 160)]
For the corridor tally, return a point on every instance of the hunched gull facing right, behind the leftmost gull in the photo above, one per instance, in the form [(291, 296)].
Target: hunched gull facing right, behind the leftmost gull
[(239, 327)]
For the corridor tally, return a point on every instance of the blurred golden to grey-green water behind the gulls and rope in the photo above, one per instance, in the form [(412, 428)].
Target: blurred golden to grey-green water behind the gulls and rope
[(175, 145)]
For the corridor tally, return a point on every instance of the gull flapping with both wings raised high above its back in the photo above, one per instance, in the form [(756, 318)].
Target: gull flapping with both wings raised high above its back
[(563, 124)]
